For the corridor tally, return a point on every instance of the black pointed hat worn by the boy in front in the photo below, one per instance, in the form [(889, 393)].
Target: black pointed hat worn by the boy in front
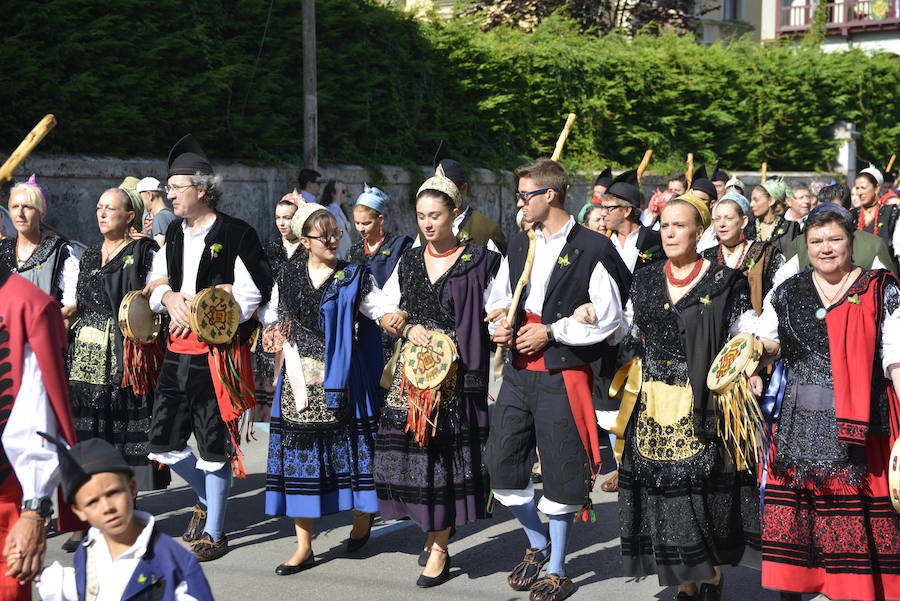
[(89, 457)]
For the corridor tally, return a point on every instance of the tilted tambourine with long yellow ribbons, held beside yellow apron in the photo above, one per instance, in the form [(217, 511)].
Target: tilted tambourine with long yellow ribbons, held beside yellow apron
[(739, 422)]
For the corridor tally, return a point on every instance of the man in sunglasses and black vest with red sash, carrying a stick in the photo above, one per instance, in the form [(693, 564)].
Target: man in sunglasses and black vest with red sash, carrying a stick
[(546, 397)]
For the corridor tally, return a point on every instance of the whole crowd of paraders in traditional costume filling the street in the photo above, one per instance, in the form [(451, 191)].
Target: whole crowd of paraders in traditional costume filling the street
[(372, 362)]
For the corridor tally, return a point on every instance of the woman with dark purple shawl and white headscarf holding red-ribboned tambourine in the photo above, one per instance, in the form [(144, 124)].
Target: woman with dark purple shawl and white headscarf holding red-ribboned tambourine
[(440, 482)]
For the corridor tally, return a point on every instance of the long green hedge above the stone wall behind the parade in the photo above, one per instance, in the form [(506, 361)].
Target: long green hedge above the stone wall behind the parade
[(128, 79)]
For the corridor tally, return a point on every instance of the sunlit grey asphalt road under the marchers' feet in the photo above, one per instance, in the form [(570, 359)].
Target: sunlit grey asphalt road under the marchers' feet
[(385, 569)]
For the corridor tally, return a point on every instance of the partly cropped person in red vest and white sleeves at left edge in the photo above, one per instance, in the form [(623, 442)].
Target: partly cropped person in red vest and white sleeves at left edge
[(33, 397)]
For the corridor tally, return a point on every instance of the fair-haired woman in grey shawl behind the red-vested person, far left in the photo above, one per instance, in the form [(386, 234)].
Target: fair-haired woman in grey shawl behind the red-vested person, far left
[(42, 258)]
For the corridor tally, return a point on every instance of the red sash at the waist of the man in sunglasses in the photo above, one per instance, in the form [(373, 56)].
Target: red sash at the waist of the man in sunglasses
[(579, 382)]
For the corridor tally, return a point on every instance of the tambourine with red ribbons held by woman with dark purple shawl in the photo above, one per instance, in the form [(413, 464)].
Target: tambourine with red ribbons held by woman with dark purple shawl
[(425, 369)]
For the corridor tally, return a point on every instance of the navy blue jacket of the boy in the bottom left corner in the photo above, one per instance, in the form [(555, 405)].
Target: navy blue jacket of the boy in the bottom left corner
[(164, 566)]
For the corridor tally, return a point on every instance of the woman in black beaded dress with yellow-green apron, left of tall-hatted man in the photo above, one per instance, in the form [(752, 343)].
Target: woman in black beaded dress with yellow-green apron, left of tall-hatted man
[(105, 403)]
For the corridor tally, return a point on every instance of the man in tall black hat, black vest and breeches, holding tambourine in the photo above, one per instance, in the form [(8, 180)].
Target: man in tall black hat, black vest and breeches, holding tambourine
[(203, 248)]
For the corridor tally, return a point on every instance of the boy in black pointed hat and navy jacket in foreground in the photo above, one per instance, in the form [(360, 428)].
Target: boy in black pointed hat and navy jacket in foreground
[(123, 556)]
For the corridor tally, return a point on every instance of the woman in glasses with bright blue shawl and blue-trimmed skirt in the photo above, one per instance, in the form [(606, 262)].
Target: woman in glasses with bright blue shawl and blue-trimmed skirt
[(324, 417)]
